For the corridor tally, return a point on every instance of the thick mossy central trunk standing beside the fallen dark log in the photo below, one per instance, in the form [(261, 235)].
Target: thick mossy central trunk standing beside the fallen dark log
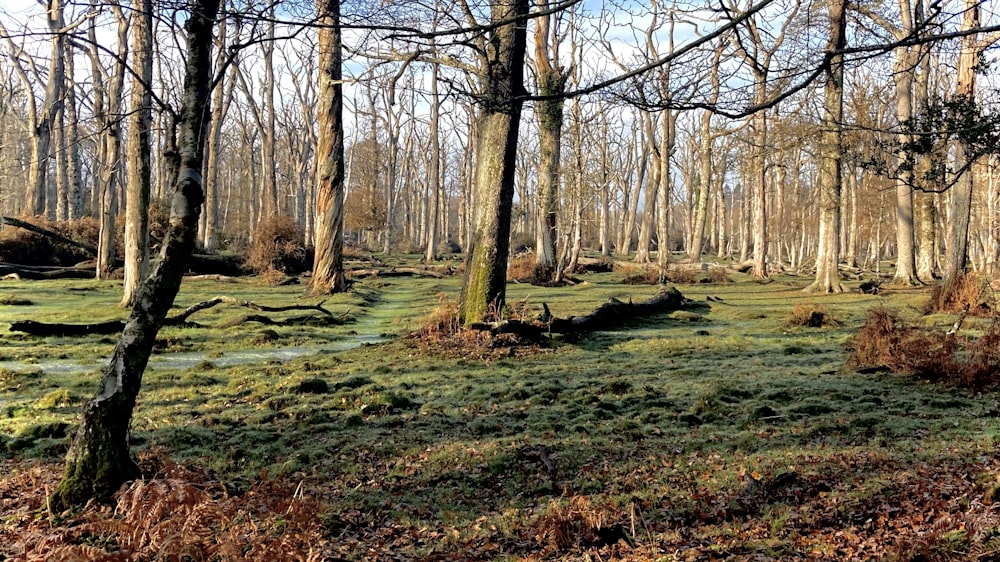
[(484, 286)]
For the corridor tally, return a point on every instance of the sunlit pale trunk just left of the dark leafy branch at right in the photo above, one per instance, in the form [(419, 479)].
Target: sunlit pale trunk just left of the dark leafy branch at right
[(831, 155)]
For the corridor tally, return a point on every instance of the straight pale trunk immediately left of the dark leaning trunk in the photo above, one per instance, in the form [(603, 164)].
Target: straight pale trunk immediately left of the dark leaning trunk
[(138, 164)]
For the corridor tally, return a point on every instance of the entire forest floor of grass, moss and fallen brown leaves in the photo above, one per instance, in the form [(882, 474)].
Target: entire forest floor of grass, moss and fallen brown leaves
[(719, 432)]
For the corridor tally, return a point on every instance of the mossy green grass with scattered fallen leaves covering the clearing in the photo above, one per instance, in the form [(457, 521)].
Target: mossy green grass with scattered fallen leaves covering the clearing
[(662, 424)]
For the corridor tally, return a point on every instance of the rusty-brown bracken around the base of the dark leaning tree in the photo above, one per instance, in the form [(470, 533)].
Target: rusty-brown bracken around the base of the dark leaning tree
[(174, 514)]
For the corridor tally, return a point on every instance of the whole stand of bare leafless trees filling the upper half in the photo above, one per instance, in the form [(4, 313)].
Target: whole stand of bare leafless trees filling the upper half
[(789, 133)]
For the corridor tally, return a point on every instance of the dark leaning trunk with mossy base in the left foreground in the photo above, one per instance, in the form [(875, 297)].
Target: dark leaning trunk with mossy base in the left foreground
[(98, 461)]
